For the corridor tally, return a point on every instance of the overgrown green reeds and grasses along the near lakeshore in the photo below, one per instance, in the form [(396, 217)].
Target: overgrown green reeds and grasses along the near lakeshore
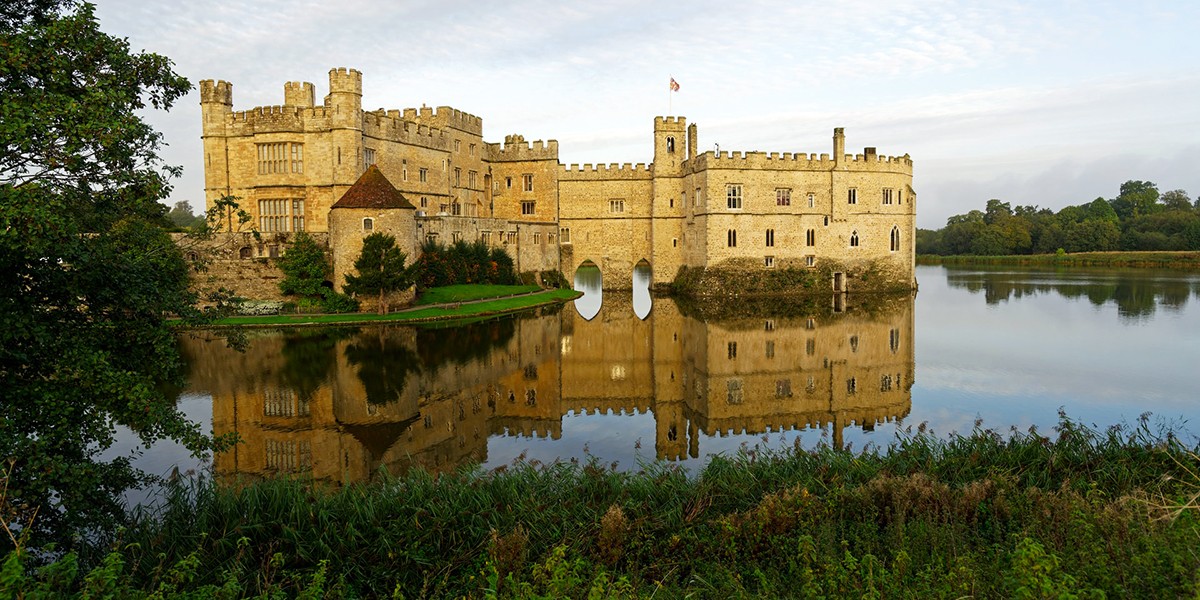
[(1078, 514)]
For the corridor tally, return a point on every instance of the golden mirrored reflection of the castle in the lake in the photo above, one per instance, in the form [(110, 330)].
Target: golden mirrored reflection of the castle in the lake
[(340, 404)]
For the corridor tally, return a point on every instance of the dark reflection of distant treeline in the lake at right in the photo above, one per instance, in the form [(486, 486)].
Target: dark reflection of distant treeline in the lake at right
[(1137, 293)]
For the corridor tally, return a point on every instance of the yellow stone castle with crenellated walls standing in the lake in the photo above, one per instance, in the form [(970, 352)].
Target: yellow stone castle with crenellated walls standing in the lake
[(292, 165)]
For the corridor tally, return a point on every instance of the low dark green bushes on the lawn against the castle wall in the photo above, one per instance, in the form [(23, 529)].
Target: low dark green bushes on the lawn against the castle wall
[(464, 263)]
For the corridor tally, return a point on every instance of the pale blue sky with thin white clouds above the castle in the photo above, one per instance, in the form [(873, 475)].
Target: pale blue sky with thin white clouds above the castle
[(1040, 103)]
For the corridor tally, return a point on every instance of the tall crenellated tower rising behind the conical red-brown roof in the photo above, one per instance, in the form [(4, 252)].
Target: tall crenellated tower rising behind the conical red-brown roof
[(345, 105)]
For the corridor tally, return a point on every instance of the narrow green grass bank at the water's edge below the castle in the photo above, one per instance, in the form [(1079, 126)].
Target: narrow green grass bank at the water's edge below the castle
[(475, 303)]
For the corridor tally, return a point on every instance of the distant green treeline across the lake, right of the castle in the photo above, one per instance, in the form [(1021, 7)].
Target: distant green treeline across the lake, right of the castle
[(1139, 219)]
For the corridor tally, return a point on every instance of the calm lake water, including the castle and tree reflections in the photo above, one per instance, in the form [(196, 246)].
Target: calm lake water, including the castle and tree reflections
[(623, 379)]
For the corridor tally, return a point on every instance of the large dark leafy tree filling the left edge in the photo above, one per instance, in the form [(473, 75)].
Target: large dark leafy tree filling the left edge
[(87, 274)]
